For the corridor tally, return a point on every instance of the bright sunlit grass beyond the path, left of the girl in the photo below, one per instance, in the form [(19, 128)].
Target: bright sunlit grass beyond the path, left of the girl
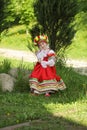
[(14, 38)]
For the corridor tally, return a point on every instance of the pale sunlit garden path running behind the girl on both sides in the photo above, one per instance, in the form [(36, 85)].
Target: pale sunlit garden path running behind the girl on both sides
[(29, 56)]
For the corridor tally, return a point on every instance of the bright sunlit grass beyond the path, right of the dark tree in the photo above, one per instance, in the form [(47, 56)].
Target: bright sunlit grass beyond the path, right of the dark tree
[(77, 50)]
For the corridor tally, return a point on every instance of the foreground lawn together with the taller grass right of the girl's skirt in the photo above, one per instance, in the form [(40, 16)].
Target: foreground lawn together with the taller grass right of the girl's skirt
[(63, 110)]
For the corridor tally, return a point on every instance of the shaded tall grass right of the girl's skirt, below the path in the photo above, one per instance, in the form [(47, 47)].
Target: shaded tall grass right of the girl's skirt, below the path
[(76, 84)]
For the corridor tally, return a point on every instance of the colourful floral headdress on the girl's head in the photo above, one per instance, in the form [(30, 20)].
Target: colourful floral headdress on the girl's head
[(40, 38)]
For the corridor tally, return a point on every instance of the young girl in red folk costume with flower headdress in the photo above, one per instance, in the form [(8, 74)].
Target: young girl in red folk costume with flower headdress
[(43, 79)]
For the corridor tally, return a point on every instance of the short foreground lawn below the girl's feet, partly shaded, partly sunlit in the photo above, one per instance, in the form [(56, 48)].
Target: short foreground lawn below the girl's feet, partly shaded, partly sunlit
[(50, 113)]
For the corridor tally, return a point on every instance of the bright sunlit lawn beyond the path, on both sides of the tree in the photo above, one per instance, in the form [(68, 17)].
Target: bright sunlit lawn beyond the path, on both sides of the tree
[(16, 38)]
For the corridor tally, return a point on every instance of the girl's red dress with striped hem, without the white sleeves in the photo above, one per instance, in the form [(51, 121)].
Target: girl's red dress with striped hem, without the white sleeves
[(45, 79)]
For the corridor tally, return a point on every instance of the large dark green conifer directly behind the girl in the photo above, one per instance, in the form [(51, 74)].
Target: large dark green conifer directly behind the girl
[(55, 18)]
